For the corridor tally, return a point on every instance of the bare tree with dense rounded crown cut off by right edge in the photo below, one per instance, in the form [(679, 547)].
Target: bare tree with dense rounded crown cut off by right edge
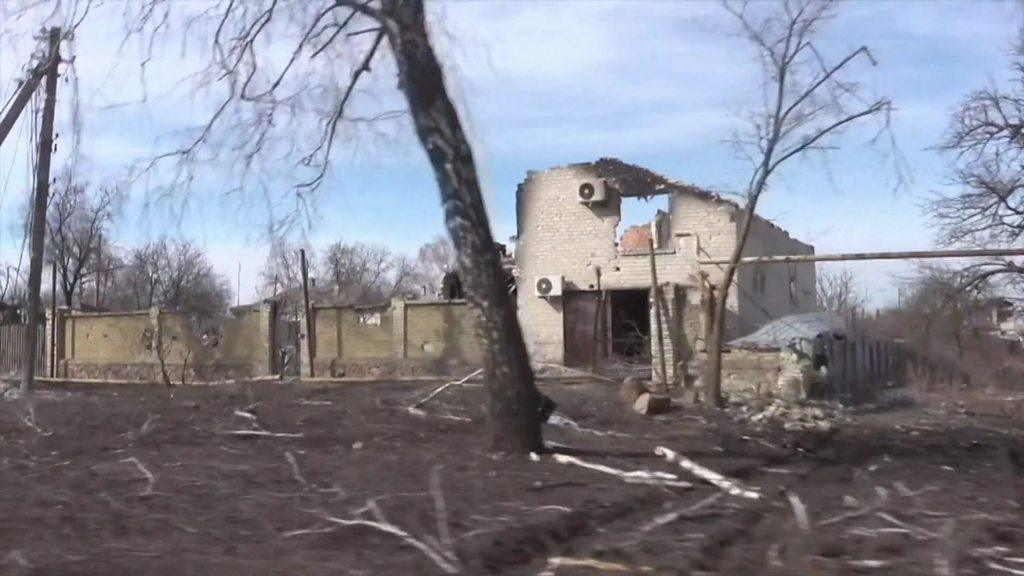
[(988, 170)]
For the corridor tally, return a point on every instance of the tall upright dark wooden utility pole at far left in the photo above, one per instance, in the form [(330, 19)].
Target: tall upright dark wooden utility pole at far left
[(39, 213)]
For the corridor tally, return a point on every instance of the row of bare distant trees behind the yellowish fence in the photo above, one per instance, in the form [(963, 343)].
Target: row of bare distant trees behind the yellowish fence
[(93, 272)]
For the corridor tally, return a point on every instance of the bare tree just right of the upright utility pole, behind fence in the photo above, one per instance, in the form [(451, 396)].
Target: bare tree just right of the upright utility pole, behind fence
[(76, 222)]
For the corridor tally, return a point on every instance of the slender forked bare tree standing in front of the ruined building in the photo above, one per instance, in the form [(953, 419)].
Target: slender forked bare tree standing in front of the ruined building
[(808, 104)]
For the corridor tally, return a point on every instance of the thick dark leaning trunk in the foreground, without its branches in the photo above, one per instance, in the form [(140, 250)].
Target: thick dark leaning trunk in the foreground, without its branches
[(516, 403)]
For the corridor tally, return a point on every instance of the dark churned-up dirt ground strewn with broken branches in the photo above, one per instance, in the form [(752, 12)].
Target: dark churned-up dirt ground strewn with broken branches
[(893, 492)]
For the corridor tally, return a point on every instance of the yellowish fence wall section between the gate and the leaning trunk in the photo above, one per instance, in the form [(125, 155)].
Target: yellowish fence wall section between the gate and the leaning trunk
[(404, 338)]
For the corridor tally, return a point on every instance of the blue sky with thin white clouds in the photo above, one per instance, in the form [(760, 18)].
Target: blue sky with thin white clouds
[(663, 85)]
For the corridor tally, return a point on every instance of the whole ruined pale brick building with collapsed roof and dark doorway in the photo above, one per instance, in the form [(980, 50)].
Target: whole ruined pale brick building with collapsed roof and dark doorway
[(572, 249)]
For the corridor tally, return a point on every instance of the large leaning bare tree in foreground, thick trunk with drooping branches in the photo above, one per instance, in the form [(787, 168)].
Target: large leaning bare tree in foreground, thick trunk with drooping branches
[(267, 107)]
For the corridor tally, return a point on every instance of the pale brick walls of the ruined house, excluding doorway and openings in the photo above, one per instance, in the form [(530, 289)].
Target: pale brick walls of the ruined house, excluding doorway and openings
[(561, 236)]
